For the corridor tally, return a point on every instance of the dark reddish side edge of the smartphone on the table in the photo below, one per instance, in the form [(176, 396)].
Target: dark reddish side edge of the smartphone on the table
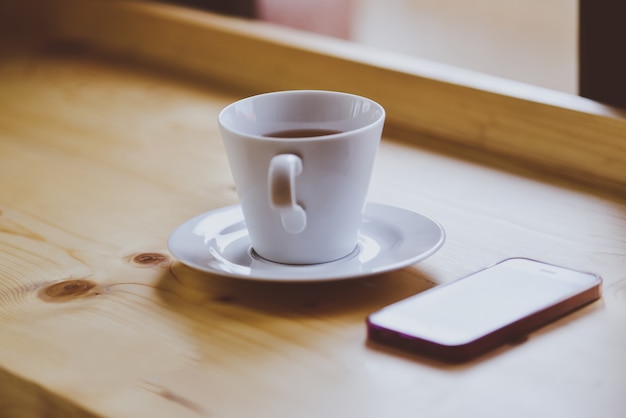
[(481, 346)]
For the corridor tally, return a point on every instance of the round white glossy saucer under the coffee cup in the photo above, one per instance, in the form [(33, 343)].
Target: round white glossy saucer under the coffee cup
[(390, 238)]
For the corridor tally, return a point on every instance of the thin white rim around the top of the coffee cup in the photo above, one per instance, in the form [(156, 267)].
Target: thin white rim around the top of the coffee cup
[(226, 109)]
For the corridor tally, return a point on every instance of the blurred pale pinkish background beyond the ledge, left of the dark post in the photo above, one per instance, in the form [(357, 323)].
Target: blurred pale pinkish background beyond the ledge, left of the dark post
[(533, 41)]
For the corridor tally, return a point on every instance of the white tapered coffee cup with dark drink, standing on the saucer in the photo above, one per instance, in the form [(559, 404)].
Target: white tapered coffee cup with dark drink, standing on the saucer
[(302, 196)]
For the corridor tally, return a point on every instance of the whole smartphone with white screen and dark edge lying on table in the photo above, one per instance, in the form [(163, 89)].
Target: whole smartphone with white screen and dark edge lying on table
[(500, 304)]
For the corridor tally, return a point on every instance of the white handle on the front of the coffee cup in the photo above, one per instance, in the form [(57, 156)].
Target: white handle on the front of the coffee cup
[(282, 190)]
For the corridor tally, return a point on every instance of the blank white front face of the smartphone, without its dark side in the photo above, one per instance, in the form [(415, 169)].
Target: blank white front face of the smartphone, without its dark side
[(481, 303)]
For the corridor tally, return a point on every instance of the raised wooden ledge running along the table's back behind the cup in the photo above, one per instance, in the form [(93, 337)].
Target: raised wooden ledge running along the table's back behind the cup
[(572, 137)]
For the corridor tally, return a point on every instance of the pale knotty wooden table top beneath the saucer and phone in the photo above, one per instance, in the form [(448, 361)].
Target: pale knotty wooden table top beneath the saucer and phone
[(101, 158)]
